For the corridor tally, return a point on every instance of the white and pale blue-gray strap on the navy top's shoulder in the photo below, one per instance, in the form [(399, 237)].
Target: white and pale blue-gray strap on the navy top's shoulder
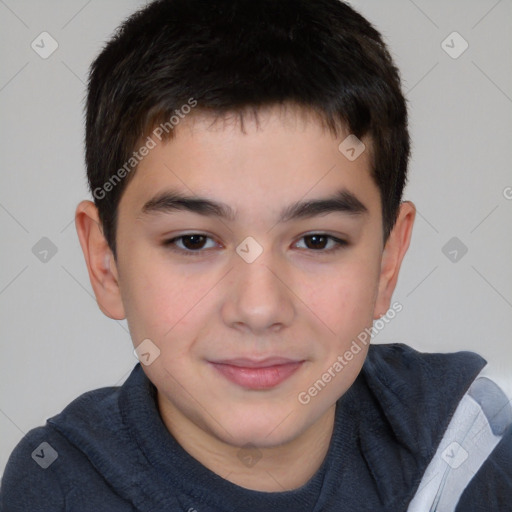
[(475, 429)]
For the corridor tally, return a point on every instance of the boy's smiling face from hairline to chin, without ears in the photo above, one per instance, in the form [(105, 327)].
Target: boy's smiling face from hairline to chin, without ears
[(251, 293)]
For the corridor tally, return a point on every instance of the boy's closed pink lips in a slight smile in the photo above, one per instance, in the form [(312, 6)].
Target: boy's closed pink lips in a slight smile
[(257, 375)]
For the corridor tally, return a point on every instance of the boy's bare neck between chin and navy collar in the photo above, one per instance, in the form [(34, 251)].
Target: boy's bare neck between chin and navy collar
[(276, 469)]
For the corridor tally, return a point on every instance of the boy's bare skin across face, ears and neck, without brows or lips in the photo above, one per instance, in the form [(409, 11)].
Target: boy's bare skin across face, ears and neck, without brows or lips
[(295, 300)]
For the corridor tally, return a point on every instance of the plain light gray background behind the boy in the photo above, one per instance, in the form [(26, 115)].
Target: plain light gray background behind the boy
[(55, 342)]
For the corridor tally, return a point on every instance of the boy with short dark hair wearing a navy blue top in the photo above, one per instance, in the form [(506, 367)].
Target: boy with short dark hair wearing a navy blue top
[(247, 160)]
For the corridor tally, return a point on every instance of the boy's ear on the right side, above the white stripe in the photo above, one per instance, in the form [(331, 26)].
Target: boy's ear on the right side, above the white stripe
[(392, 256)]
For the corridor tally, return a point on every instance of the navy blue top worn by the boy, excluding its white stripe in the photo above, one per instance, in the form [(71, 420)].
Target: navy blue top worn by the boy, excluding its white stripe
[(114, 453)]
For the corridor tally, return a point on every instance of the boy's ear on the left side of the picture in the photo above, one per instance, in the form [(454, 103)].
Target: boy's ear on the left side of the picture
[(100, 261)]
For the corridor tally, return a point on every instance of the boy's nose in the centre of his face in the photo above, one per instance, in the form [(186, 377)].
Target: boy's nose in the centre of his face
[(258, 299)]
